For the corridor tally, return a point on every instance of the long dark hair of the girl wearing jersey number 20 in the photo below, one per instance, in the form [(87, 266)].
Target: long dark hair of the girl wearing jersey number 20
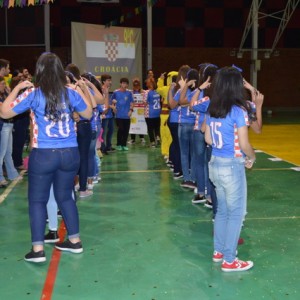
[(51, 79)]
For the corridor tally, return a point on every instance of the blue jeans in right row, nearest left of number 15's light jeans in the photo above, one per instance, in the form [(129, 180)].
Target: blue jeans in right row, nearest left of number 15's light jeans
[(198, 160)]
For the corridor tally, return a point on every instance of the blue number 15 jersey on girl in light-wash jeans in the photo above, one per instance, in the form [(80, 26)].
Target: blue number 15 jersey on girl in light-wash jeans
[(225, 142)]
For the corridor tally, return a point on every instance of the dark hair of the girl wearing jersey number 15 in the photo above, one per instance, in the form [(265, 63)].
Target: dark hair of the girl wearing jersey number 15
[(227, 91)]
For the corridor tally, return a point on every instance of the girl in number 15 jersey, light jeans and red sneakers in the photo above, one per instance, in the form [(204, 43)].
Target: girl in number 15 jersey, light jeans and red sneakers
[(227, 132)]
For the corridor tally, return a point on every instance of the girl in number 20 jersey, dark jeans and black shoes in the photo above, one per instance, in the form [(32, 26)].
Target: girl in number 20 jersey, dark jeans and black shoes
[(54, 158)]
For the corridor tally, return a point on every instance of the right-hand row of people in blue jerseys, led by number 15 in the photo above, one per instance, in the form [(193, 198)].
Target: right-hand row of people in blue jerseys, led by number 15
[(211, 110)]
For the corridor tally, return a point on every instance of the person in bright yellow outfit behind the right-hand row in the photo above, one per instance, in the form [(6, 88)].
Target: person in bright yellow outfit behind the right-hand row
[(162, 90)]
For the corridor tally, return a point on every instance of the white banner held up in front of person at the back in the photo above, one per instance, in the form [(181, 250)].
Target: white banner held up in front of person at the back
[(137, 122)]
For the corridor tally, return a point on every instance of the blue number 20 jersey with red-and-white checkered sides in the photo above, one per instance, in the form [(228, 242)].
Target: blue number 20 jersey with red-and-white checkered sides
[(47, 133)]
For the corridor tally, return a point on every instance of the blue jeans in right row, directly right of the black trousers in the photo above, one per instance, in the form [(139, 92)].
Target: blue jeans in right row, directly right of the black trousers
[(186, 136)]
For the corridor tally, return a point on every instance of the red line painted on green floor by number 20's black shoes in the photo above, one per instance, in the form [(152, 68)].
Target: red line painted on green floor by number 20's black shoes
[(53, 266)]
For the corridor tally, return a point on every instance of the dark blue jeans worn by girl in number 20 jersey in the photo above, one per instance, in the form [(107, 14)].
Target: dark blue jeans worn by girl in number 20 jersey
[(47, 167)]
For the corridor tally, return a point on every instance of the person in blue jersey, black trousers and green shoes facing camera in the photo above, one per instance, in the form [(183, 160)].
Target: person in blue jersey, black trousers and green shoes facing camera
[(123, 101)]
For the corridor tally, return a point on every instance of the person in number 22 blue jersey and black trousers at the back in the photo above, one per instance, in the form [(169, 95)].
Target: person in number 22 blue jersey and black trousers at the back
[(152, 111)]
